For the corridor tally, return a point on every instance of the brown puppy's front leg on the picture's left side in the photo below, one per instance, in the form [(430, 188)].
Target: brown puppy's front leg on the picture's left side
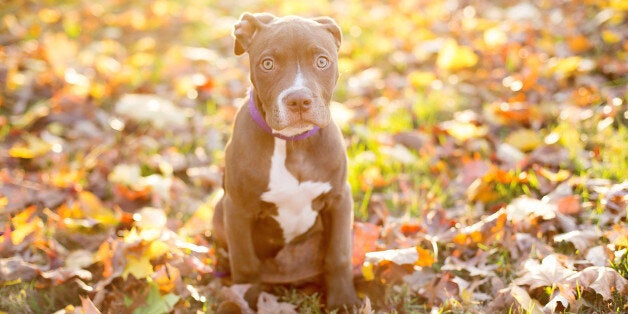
[(245, 266)]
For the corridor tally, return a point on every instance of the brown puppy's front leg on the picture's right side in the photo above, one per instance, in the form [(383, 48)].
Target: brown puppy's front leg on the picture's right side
[(338, 274)]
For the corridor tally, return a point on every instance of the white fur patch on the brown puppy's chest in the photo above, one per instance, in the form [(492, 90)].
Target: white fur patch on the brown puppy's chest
[(292, 198)]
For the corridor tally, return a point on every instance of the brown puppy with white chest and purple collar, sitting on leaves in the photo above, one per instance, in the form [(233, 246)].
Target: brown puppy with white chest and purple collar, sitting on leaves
[(285, 173)]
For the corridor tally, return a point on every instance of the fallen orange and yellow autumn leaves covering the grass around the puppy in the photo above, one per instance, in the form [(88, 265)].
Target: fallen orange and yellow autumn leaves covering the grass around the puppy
[(486, 145)]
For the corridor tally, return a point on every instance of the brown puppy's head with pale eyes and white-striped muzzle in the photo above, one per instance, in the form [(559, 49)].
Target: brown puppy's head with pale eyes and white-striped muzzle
[(294, 67)]
